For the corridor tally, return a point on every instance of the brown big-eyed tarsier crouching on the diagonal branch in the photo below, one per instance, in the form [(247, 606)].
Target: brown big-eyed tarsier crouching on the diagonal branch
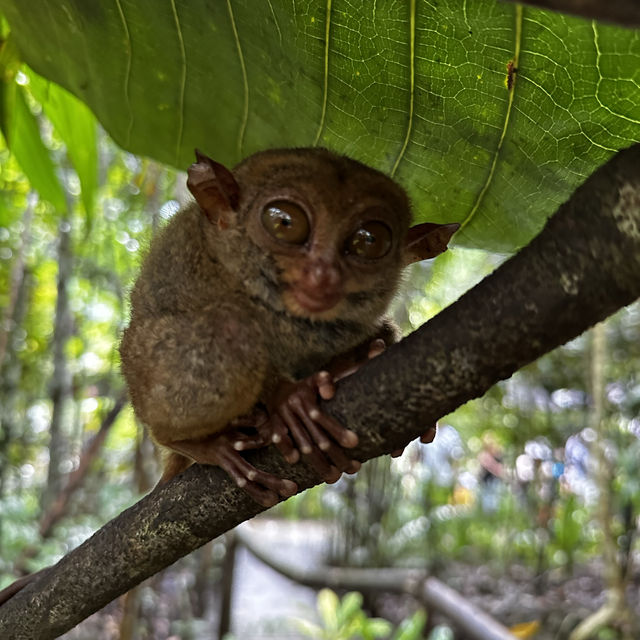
[(256, 298)]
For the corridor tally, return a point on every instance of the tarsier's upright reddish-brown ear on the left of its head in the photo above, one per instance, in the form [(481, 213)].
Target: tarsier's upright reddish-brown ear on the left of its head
[(214, 188)]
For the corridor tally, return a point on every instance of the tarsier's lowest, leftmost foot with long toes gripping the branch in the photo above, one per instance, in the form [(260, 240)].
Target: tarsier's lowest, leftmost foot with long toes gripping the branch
[(223, 450)]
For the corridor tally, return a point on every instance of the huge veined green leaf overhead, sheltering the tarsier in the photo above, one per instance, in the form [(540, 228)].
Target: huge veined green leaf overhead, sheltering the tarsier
[(420, 89)]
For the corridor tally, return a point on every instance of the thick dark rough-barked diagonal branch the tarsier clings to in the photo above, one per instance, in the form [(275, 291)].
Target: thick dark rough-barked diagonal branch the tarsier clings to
[(583, 266)]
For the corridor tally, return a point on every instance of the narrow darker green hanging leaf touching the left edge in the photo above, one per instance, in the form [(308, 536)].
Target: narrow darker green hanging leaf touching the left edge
[(22, 136)]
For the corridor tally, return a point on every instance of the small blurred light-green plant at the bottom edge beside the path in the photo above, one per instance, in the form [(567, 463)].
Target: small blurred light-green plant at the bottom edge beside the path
[(345, 620)]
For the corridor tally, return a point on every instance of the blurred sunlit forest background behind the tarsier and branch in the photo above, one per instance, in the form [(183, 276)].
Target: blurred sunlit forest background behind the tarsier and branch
[(527, 503)]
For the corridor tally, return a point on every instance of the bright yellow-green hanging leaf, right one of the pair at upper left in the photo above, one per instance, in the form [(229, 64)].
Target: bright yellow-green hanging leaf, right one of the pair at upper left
[(76, 126)]
